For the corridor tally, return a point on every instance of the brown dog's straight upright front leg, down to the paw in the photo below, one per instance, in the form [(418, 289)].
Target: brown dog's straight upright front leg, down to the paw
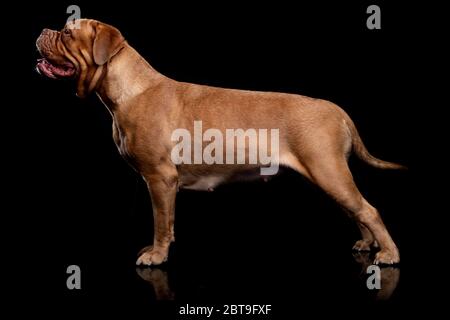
[(162, 185)]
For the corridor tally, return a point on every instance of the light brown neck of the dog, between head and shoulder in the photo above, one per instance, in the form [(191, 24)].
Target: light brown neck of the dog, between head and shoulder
[(125, 68)]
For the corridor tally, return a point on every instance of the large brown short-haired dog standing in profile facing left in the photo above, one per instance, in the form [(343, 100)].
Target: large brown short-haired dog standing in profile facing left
[(315, 136)]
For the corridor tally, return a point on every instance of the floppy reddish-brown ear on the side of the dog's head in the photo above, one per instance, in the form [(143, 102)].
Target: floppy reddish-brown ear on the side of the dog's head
[(107, 43)]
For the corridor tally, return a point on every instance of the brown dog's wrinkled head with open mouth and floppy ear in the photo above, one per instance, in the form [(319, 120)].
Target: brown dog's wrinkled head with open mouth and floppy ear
[(80, 50)]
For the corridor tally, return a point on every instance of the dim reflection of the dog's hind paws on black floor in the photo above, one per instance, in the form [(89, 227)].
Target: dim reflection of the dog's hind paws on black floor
[(389, 275)]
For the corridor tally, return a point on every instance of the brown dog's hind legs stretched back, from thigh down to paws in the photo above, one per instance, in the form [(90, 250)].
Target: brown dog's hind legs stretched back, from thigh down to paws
[(334, 177)]
